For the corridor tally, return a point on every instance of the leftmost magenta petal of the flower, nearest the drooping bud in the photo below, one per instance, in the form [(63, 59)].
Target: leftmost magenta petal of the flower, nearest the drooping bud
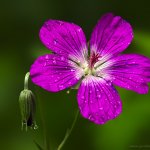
[(54, 73)]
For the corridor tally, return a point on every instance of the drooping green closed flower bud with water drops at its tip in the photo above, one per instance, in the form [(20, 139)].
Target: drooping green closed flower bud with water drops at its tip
[(27, 108)]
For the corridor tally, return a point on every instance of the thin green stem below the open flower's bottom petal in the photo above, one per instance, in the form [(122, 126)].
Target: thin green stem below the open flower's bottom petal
[(68, 132)]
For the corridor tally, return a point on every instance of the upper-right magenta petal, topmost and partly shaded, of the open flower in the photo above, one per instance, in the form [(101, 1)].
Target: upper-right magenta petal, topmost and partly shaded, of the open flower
[(111, 35)]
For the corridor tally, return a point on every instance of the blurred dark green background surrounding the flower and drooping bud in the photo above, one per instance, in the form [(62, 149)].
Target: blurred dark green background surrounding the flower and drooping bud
[(20, 21)]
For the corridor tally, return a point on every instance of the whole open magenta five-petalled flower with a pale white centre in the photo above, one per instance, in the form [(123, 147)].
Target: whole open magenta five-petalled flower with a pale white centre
[(96, 70)]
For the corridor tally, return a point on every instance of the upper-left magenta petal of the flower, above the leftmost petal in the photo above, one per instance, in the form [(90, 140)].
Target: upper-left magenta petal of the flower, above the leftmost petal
[(64, 38)]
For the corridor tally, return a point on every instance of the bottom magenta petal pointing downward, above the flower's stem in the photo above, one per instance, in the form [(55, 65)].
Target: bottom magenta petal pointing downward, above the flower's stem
[(98, 100)]
